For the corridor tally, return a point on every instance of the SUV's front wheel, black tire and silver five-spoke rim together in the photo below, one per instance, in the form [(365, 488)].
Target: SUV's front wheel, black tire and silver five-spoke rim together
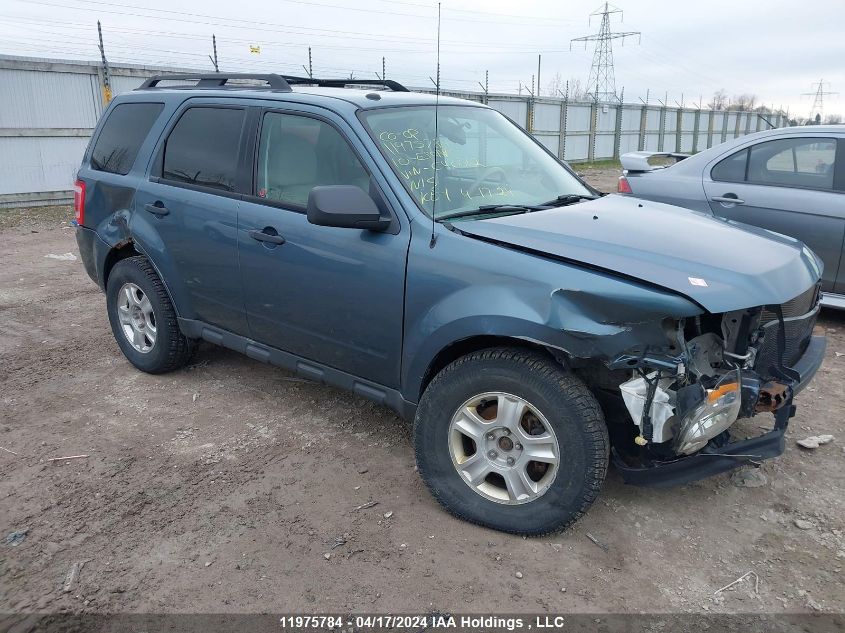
[(507, 439)]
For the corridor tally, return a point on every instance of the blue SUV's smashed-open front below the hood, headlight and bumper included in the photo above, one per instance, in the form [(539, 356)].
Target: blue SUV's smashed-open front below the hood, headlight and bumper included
[(684, 400)]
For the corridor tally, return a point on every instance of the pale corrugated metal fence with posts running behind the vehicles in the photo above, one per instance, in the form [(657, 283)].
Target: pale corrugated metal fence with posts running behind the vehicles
[(49, 108)]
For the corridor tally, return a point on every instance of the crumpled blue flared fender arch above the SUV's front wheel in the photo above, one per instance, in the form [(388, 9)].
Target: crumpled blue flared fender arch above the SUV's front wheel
[(594, 324)]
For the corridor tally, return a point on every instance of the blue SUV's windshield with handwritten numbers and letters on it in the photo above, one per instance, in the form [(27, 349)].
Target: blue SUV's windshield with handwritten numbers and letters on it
[(482, 159)]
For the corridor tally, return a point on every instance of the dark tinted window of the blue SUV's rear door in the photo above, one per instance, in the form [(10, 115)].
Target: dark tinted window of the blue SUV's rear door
[(202, 149)]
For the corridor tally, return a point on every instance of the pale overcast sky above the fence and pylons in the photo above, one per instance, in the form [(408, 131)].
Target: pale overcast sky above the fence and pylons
[(775, 50)]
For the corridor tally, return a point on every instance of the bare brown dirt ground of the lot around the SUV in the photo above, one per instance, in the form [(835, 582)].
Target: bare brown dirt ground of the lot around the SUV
[(232, 486)]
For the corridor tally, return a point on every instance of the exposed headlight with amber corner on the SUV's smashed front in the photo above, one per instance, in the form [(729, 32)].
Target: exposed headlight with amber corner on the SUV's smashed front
[(717, 411)]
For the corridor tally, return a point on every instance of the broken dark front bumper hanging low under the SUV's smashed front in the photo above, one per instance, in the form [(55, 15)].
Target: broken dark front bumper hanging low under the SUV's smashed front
[(713, 460)]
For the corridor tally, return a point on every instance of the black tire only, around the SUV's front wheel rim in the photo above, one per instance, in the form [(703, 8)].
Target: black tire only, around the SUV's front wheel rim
[(565, 402)]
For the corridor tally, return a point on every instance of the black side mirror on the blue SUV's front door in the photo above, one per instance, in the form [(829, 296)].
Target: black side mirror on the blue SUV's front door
[(344, 206)]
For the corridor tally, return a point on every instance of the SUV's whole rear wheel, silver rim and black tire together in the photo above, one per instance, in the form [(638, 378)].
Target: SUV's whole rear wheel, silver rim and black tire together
[(143, 319)]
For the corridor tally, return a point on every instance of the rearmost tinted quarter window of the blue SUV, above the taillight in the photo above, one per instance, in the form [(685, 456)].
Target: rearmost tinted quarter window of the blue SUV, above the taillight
[(123, 132)]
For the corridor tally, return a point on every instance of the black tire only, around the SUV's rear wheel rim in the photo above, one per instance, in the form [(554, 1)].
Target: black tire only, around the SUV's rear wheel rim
[(172, 349)]
